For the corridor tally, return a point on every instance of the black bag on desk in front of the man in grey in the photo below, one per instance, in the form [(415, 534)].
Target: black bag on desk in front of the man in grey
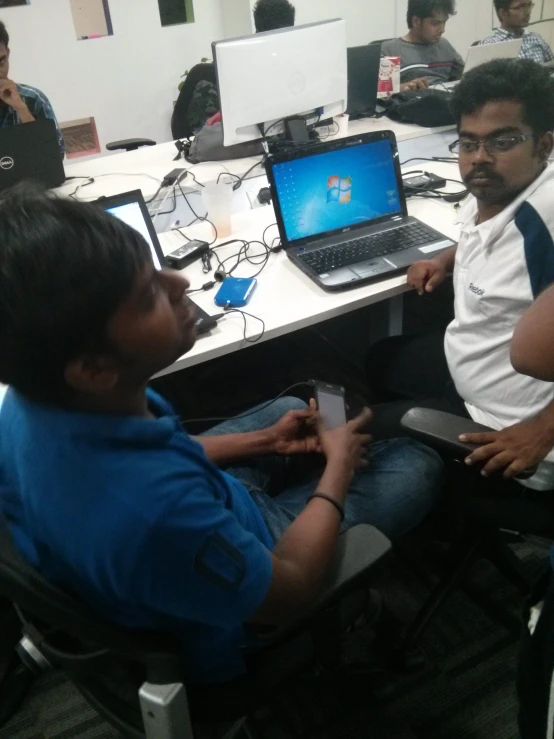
[(428, 108)]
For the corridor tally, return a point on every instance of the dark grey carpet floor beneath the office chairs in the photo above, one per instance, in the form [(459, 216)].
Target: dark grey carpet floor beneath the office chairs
[(465, 692)]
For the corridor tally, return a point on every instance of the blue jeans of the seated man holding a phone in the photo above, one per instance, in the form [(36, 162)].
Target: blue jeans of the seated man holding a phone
[(395, 493)]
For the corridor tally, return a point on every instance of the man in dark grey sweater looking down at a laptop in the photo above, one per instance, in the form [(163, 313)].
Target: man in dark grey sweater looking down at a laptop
[(426, 57)]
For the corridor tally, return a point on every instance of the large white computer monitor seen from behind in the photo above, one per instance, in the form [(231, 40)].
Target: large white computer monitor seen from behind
[(268, 77)]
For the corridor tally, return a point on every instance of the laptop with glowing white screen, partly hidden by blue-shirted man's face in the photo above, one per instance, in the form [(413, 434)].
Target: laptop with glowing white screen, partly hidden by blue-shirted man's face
[(131, 208)]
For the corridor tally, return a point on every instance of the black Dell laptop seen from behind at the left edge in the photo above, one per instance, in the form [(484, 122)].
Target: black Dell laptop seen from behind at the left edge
[(30, 151)]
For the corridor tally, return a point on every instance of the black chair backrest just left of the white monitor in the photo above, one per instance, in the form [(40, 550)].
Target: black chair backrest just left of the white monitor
[(198, 100)]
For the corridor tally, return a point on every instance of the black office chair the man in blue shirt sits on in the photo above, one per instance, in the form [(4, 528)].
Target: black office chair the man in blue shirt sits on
[(135, 679)]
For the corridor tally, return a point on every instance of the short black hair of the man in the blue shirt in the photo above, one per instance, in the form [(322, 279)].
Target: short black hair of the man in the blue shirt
[(65, 268)]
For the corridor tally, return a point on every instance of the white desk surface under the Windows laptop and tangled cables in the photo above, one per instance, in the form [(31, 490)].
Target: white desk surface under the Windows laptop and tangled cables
[(285, 298)]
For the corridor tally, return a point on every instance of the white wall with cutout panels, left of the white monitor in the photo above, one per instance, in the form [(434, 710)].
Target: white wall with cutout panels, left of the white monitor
[(127, 81)]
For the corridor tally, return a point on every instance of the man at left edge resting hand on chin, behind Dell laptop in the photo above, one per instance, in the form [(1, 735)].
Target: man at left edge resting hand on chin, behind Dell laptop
[(21, 103)]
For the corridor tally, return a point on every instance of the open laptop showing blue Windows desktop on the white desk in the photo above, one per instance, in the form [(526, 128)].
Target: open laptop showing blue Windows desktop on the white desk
[(341, 211)]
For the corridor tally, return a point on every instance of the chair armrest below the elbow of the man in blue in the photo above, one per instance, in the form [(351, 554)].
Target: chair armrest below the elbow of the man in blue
[(359, 550)]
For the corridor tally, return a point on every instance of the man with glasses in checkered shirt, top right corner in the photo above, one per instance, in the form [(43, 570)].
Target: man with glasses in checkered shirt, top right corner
[(514, 17)]
